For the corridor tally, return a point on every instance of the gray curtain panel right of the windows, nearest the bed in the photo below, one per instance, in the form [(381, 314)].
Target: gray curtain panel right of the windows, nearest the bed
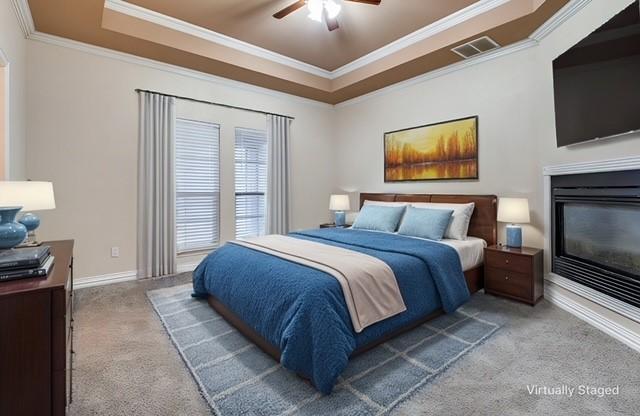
[(278, 193)]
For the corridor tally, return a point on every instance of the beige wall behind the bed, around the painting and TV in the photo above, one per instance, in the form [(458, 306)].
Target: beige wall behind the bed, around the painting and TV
[(513, 97)]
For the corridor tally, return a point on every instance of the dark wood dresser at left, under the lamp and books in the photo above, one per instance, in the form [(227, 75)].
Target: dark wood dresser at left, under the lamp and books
[(36, 339)]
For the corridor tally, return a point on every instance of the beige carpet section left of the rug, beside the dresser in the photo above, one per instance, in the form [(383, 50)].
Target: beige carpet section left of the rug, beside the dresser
[(125, 364)]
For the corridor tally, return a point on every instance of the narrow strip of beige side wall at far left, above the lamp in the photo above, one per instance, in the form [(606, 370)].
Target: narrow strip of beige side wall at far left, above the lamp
[(13, 46)]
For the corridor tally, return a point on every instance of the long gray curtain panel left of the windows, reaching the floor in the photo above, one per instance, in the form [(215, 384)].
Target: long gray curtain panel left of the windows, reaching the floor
[(156, 186)]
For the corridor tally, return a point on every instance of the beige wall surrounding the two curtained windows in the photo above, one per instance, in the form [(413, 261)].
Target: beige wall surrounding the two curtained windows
[(83, 125)]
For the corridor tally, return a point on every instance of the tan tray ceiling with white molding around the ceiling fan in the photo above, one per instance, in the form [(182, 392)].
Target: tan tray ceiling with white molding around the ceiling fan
[(375, 46)]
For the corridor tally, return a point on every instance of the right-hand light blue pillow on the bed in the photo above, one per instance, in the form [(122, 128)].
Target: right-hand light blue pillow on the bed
[(425, 222)]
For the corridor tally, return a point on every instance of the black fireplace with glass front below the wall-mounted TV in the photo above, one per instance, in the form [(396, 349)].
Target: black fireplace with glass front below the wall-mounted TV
[(596, 231)]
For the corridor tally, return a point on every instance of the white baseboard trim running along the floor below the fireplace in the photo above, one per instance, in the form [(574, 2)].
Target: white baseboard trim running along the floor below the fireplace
[(606, 325)]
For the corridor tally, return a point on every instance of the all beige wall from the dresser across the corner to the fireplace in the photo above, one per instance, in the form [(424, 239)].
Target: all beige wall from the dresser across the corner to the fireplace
[(83, 136)]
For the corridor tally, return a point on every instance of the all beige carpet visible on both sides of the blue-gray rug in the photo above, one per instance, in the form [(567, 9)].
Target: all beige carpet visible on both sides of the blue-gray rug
[(126, 365)]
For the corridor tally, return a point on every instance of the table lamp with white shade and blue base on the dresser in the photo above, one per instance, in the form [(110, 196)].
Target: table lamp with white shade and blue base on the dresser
[(30, 196)]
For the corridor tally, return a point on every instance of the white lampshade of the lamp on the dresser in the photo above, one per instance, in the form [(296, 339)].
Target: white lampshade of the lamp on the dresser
[(30, 195)]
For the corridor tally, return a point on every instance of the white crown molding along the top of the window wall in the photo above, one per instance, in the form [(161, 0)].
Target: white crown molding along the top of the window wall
[(161, 66)]
